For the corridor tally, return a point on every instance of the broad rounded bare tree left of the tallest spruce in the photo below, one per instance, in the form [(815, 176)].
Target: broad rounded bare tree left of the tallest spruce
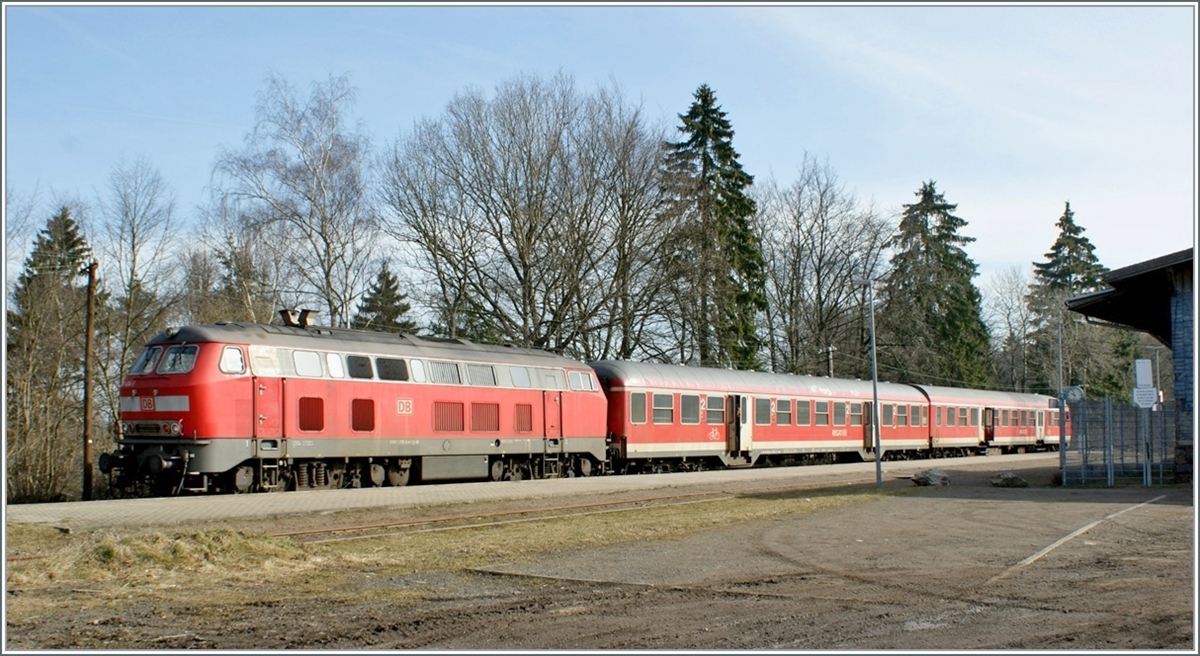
[(527, 213)]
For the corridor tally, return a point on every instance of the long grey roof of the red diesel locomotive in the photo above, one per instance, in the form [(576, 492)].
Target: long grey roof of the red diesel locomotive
[(359, 341)]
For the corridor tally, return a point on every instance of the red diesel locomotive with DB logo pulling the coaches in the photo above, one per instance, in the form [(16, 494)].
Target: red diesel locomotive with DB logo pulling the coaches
[(255, 407)]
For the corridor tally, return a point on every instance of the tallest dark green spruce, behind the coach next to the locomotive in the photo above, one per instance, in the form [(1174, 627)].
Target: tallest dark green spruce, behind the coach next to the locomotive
[(717, 256)]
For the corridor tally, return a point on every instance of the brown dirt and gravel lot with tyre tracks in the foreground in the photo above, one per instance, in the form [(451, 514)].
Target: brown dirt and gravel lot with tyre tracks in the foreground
[(953, 568)]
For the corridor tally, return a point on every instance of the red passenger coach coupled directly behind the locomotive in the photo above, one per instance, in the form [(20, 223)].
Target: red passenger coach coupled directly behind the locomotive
[(669, 417)]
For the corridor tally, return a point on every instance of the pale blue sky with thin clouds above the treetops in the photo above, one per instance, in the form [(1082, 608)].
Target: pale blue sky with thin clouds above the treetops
[(1011, 110)]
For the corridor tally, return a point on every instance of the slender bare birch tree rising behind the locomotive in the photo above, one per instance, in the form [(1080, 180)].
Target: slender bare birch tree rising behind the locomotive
[(307, 171)]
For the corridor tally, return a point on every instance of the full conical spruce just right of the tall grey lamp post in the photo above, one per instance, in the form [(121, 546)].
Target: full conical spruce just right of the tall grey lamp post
[(932, 323)]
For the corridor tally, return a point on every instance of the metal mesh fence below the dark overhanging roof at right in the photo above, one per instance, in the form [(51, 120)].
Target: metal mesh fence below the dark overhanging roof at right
[(1117, 443)]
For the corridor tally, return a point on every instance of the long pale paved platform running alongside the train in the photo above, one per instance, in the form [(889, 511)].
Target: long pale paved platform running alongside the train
[(185, 510)]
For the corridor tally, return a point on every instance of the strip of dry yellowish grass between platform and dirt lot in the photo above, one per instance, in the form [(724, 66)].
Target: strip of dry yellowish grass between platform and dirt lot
[(219, 569)]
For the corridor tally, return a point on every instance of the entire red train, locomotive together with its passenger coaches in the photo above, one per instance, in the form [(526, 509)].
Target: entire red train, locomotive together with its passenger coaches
[(238, 407)]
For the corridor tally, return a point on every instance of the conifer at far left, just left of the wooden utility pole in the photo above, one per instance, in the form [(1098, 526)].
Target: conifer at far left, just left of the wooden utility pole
[(45, 344)]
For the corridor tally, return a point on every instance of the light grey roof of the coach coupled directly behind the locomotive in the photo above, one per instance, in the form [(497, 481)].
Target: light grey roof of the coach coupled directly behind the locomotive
[(640, 375)]
